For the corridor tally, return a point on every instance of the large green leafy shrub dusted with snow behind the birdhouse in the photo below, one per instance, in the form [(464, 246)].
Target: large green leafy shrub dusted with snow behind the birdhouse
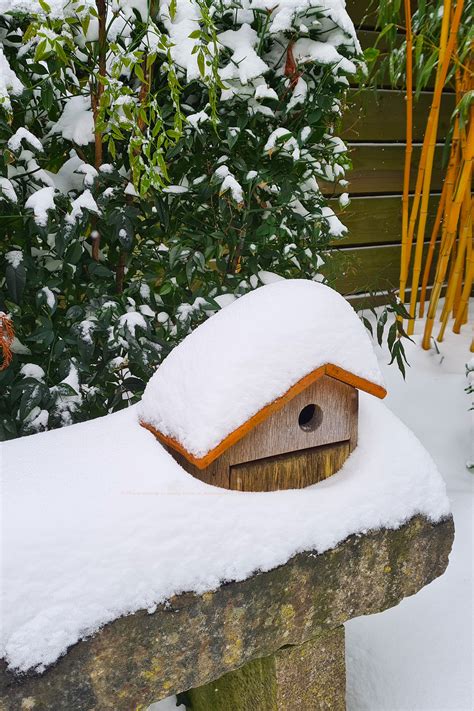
[(158, 160)]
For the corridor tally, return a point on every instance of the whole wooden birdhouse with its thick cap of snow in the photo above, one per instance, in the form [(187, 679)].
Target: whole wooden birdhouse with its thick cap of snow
[(272, 381)]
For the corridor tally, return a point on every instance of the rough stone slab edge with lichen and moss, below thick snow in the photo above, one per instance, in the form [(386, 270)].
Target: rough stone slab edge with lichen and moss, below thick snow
[(194, 639)]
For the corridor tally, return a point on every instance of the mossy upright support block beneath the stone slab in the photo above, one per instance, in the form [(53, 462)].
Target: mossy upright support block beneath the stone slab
[(306, 677)]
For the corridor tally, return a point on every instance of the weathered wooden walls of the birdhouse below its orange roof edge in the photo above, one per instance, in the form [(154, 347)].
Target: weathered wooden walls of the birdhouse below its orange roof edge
[(305, 441)]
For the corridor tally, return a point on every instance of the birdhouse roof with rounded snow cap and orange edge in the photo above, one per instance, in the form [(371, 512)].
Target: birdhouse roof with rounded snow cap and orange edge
[(270, 343)]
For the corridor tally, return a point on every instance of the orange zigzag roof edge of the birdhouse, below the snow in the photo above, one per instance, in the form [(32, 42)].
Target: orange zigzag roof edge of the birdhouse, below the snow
[(333, 371)]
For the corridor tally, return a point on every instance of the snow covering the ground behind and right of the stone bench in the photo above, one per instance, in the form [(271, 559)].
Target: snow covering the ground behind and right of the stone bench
[(419, 655)]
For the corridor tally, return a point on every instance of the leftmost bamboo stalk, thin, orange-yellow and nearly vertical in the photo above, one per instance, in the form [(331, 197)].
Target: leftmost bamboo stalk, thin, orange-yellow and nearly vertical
[(404, 261)]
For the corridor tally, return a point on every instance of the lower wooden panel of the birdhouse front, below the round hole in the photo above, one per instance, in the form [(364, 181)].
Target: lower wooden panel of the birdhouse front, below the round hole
[(293, 470)]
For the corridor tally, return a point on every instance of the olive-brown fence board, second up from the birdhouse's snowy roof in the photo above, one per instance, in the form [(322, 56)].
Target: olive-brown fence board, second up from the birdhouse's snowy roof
[(376, 220)]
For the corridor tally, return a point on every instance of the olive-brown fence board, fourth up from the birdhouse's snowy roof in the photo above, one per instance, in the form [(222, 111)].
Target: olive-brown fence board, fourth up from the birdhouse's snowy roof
[(380, 116)]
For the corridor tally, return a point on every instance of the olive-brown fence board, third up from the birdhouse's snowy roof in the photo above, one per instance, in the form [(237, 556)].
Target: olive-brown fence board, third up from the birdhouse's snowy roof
[(378, 169)]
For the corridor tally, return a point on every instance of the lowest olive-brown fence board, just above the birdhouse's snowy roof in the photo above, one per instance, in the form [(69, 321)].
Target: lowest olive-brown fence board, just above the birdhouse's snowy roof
[(365, 269)]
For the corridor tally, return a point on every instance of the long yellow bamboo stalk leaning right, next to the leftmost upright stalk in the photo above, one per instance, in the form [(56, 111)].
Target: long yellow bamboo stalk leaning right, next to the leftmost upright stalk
[(446, 49)]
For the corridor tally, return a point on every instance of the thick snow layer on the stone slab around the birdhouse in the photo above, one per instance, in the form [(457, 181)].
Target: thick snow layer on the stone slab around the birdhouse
[(99, 521)]
